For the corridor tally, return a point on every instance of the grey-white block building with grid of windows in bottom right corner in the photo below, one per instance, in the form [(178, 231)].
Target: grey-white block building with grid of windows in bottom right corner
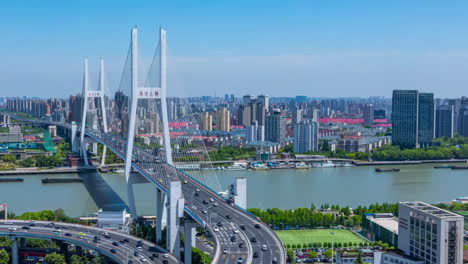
[(430, 233)]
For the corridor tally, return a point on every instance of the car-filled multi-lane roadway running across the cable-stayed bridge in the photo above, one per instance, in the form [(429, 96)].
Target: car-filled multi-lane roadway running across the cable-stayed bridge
[(240, 237)]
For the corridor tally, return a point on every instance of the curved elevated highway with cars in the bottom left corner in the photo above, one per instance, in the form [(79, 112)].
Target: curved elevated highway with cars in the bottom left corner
[(119, 247)]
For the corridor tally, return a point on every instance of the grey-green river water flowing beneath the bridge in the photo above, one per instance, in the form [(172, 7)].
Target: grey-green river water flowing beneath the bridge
[(284, 188)]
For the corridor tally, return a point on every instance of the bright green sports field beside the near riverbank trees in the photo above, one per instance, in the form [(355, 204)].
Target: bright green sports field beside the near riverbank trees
[(317, 235)]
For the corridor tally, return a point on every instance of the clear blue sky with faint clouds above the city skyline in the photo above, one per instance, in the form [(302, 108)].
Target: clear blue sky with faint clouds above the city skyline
[(281, 48)]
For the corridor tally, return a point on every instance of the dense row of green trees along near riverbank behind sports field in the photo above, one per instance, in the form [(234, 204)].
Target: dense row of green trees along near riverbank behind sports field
[(311, 218)]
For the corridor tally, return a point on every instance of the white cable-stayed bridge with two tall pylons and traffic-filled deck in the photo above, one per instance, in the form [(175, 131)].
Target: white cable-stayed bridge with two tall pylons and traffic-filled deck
[(183, 200)]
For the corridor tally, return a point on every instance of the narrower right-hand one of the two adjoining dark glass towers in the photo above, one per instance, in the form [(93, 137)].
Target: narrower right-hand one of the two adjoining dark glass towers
[(426, 119)]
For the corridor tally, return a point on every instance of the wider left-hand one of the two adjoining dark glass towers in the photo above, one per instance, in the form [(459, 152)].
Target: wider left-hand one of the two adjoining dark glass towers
[(405, 118)]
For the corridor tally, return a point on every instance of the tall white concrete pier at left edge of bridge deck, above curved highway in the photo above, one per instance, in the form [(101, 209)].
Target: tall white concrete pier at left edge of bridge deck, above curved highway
[(174, 212)]
